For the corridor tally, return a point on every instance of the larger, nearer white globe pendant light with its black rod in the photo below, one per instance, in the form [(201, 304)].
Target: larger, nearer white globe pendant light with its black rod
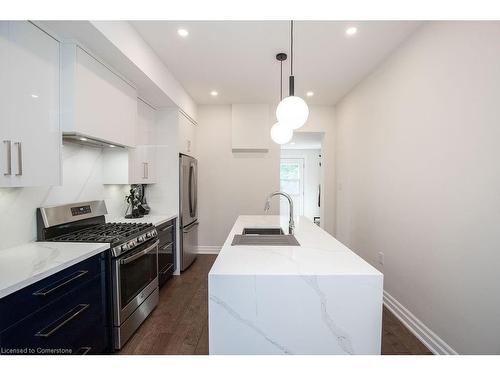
[(292, 111)]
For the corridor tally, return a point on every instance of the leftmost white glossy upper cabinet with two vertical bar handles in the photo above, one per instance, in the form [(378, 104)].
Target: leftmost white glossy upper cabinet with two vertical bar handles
[(30, 134)]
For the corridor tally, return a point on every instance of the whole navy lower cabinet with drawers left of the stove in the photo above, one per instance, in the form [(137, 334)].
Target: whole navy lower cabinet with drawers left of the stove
[(76, 322)]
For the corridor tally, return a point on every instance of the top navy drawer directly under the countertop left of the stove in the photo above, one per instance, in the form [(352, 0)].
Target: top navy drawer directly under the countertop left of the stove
[(34, 297)]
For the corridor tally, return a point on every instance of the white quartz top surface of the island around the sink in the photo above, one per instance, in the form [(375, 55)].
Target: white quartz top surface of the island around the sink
[(318, 254)]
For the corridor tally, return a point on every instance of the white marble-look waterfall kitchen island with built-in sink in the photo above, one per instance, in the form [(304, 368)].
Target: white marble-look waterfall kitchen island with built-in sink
[(316, 298)]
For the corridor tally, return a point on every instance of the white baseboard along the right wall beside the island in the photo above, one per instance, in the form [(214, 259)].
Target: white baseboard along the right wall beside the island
[(432, 341)]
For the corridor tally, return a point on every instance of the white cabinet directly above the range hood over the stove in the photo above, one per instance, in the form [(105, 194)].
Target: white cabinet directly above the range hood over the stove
[(96, 102)]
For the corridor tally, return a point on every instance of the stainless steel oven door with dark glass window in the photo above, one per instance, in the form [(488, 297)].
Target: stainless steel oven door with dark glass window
[(135, 277)]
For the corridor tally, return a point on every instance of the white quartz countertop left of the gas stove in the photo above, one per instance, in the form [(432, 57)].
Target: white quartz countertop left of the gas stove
[(26, 264)]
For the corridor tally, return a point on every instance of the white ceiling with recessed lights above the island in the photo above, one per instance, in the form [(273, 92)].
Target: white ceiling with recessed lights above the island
[(237, 58)]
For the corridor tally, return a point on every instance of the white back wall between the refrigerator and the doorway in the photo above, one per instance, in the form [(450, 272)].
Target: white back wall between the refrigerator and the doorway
[(230, 184)]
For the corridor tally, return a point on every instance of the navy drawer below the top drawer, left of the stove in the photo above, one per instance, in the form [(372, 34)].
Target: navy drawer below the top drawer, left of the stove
[(67, 324)]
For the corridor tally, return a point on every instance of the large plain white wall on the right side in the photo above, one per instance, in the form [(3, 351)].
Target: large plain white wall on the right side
[(418, 179)]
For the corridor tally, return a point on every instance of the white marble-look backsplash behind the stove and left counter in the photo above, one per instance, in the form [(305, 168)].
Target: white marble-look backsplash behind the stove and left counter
[(82, 181)]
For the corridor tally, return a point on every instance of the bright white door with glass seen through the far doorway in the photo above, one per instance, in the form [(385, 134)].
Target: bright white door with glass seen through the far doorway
[(292, 183)]
